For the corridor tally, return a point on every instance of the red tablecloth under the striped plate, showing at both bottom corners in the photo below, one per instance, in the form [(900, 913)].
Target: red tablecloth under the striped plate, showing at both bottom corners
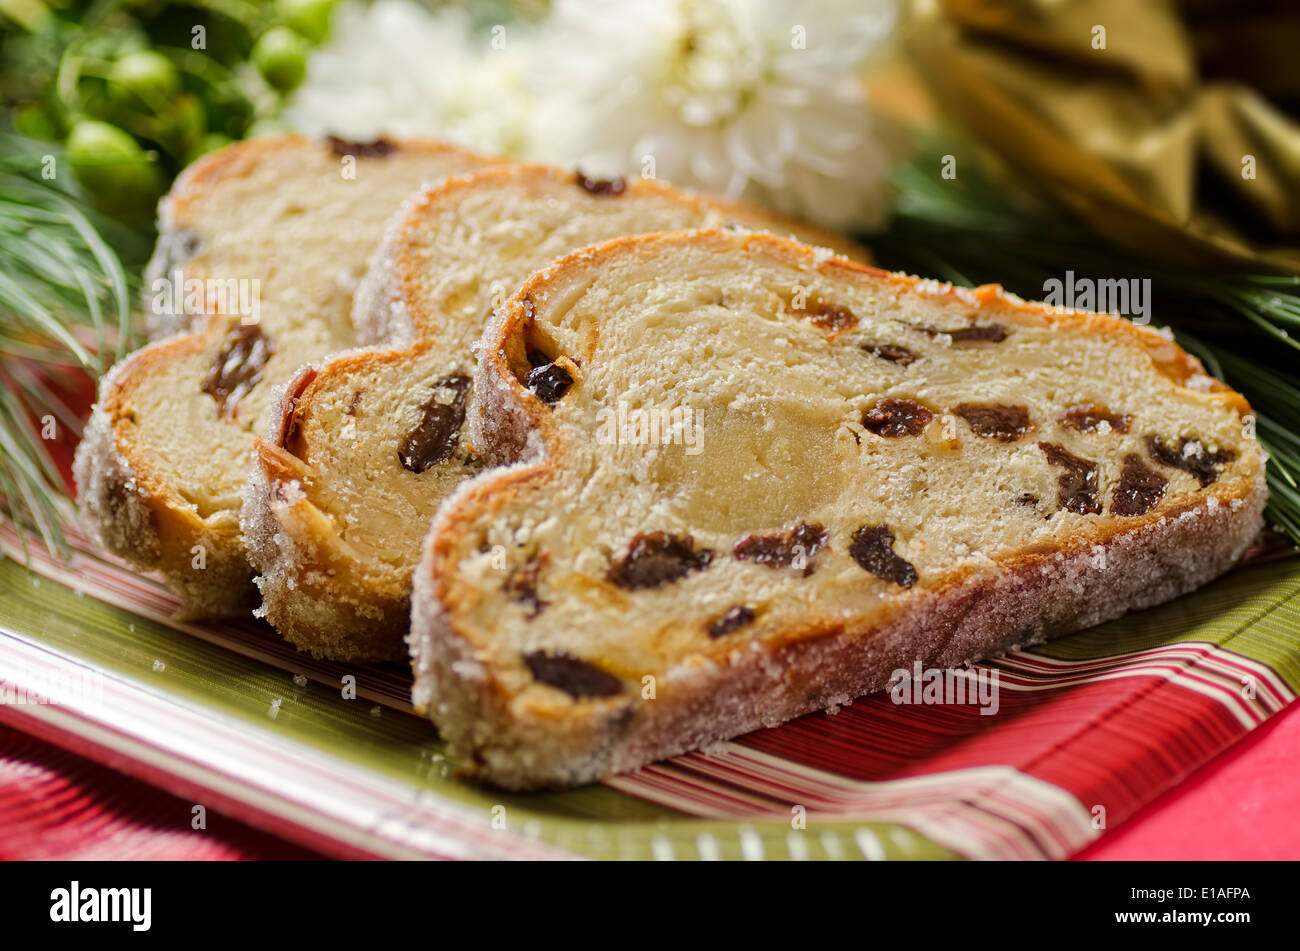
[(59, 806)]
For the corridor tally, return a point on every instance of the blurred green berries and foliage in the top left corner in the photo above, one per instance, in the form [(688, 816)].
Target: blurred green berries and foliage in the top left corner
[(175, 77)]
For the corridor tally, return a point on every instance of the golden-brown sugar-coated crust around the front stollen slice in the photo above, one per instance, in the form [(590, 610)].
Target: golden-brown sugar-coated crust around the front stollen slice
[(539, 740)]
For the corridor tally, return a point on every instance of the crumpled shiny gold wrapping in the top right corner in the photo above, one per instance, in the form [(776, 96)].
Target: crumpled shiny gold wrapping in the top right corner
[(1168, 127)]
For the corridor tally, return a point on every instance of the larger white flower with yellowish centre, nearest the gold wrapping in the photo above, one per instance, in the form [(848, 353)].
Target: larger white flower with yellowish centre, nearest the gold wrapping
[(747, 98)]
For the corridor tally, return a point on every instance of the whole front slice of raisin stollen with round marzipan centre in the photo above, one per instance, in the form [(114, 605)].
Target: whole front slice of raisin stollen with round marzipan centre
[(889, 471)]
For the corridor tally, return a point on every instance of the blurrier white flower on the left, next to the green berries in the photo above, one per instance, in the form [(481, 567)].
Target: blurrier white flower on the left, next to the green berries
[(396, 68)]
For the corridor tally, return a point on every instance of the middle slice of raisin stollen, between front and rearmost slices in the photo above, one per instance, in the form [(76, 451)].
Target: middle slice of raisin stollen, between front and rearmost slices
[(361, 450)]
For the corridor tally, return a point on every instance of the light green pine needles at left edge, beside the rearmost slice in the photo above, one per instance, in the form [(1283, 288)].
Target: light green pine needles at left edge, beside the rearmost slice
[(66, 311)]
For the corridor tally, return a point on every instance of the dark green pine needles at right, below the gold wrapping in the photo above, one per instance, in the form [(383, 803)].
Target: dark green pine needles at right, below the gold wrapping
[(1245, 328)]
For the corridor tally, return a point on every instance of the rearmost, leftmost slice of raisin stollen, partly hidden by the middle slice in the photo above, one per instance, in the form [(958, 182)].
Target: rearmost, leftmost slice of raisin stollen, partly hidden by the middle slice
[(271, 237)]
